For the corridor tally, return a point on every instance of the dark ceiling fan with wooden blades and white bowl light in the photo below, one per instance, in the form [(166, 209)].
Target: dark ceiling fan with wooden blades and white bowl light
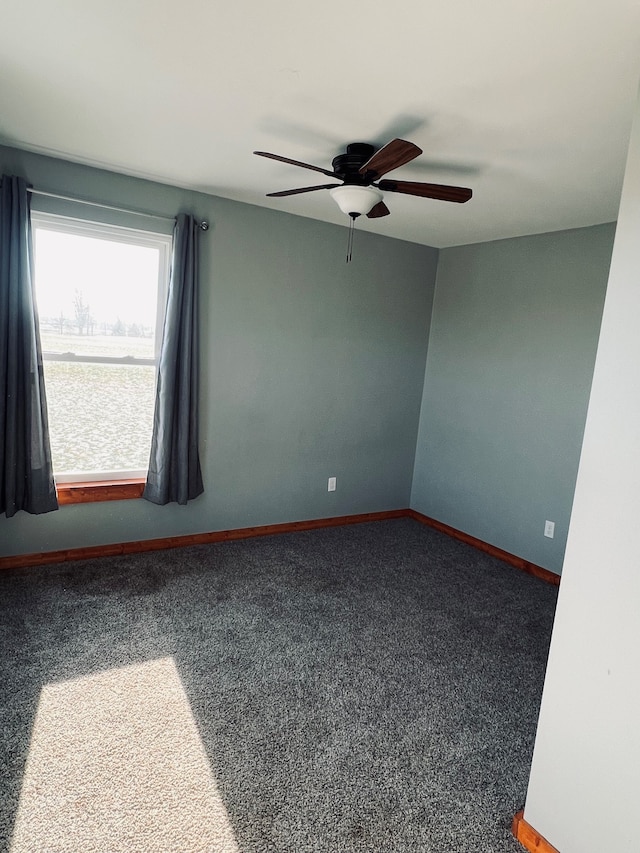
[(360, 169)]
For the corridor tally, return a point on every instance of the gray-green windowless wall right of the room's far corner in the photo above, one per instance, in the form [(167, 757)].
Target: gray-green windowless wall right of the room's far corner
[(511, 353)]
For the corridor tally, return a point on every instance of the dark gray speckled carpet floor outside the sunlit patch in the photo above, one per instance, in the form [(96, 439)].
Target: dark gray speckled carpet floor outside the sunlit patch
[(365, 688)]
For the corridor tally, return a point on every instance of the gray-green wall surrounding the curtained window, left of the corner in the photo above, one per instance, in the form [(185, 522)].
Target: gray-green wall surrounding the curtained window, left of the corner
[(310, 368)]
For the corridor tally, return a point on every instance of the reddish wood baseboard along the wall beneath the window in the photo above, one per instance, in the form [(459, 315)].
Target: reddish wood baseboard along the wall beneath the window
[(119, 548)]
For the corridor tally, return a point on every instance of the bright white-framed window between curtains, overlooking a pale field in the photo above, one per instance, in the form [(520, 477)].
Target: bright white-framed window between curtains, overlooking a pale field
[(100, 291)]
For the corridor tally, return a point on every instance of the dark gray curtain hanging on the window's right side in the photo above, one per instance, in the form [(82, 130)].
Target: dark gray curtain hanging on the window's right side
[(174, 467)]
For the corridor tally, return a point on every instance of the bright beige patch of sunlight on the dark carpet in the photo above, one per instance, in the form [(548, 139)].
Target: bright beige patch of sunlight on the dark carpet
[(116, 763)]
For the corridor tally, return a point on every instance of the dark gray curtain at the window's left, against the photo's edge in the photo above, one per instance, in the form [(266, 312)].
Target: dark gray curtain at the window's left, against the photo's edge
[(26, 474)]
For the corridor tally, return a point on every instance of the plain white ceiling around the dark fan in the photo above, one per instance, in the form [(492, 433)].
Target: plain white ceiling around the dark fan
[(528, 102)]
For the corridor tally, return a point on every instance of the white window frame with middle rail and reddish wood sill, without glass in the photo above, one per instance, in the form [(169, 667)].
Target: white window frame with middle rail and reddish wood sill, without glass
[(87, 486)]
